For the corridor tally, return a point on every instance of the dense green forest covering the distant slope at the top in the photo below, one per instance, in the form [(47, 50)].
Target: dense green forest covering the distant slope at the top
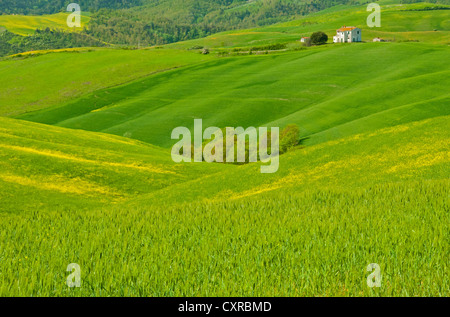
[(168, 21)]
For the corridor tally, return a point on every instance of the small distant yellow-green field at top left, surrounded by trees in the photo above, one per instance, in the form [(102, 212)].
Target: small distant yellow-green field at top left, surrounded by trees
[(27, 24)]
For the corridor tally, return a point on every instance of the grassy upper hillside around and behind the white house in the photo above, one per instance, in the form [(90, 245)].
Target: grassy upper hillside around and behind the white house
[(398, 22)]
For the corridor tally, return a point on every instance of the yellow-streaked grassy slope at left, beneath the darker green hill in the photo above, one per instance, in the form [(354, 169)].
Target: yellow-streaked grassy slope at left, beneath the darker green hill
[(48, 168)]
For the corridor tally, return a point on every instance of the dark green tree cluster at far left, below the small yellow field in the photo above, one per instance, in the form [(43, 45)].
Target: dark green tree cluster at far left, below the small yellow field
[(11, 43)]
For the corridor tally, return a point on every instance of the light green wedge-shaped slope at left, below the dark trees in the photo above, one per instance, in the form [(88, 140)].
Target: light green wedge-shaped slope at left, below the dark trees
[(44, 81)]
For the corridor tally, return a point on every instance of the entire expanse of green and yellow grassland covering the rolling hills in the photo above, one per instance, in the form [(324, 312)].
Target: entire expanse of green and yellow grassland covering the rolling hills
[(86, 174)]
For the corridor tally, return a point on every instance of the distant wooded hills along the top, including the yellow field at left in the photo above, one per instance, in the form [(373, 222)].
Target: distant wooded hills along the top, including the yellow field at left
[(143, 23)]
